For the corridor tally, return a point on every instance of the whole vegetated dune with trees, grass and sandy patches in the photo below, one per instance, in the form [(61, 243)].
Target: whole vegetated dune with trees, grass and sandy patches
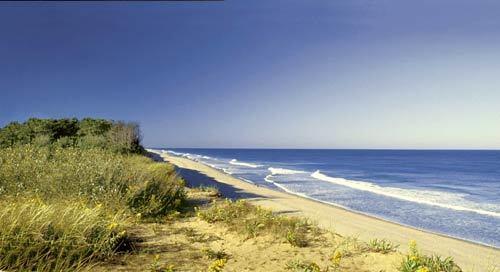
[(83, 195)]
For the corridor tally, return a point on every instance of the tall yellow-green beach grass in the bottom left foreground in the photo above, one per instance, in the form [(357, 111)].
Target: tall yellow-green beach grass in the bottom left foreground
[(58, 237)]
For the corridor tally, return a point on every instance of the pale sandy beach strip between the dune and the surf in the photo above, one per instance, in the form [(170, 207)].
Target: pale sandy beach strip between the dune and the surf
[(470, 256)]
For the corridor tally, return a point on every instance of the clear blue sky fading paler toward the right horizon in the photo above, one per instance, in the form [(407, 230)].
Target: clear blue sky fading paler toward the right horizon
[(307, 74)]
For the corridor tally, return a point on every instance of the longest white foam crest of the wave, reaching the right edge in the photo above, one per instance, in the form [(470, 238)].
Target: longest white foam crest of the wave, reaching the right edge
[(434, 198)]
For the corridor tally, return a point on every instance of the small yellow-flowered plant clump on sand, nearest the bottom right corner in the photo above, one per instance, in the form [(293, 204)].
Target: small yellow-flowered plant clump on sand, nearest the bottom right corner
[(414, 261)]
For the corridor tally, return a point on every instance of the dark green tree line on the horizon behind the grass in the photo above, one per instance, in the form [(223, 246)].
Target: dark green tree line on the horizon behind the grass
[(119, 136)]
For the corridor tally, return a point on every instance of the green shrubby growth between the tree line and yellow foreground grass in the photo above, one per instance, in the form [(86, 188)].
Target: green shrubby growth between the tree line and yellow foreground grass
[(94, 175)]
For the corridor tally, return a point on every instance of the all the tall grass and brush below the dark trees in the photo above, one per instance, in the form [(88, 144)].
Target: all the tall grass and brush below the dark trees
[(64, 208)]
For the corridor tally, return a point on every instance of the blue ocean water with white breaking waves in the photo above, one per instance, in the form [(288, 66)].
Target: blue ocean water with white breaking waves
[(451, 192)]
